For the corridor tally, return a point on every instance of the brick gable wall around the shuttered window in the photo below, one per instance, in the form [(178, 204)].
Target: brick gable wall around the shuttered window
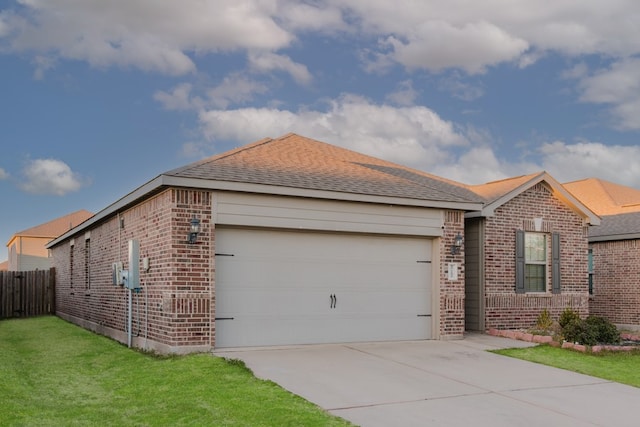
[(504, 308)]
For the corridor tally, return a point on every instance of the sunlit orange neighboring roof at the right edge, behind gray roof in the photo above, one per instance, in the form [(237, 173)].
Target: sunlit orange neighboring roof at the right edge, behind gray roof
[(604, 197)]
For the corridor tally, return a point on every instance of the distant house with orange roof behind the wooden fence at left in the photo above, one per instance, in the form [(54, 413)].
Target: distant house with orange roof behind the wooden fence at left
[(27, 248)]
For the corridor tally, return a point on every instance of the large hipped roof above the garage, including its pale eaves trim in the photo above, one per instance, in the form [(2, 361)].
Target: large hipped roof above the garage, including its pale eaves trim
[(293, 165)]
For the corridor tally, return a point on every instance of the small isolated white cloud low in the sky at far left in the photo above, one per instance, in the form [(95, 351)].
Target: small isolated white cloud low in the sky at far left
[(50, 176)]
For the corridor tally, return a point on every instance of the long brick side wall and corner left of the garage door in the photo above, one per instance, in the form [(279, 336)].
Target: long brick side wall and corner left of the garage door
[(174, 308)]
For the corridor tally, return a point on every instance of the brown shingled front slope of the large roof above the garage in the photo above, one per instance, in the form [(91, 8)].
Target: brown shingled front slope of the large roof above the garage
[(300, 162)]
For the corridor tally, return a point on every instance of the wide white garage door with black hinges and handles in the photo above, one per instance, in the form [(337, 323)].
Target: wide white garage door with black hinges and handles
[(287, 287)]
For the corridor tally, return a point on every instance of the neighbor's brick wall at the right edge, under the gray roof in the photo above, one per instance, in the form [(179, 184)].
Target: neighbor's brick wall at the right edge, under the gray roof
[(616, 281)]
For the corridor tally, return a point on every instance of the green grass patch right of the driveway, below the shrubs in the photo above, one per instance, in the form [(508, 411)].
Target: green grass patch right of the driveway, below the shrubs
[(620, 367)]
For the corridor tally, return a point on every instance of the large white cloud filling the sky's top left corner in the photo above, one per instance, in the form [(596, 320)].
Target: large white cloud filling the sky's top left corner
[(146, 35)]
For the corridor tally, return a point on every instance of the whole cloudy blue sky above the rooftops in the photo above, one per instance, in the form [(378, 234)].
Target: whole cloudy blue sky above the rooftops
[(97, 97)]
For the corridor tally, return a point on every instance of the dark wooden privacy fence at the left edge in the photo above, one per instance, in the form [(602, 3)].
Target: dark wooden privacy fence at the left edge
[(27, 293)]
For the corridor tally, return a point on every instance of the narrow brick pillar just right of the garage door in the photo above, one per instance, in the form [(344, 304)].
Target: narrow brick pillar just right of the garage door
[(451, 291)]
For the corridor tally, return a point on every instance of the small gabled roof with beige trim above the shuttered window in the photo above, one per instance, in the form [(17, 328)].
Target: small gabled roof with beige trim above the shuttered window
[(497, 193)]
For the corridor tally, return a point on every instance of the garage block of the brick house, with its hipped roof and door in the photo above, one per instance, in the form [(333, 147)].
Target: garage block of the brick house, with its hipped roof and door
[(299, 242)]
